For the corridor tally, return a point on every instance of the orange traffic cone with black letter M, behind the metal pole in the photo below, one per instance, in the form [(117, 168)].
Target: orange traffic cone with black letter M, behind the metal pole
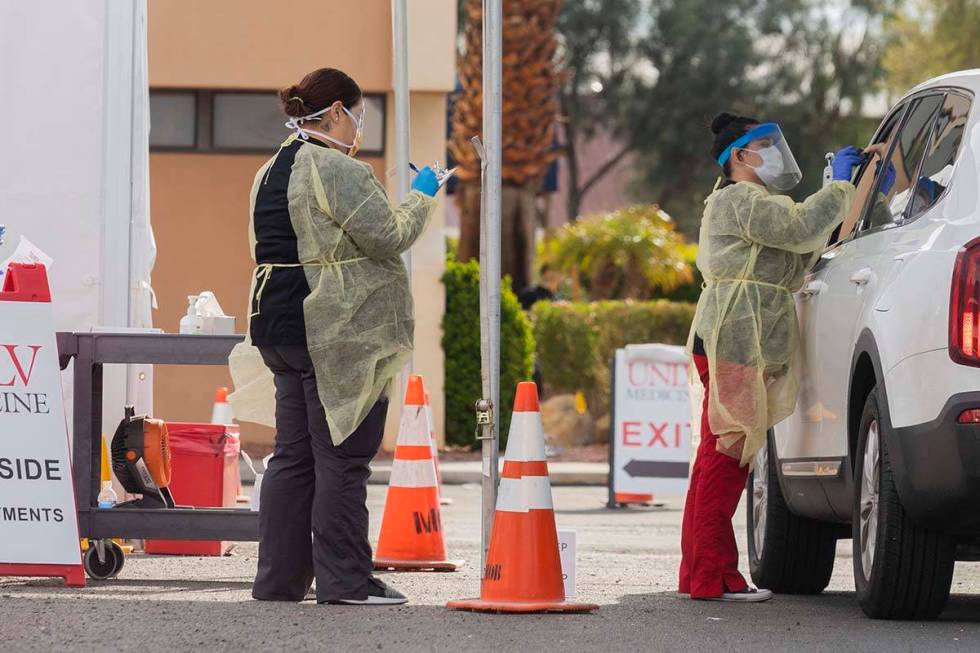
[(411, 529)]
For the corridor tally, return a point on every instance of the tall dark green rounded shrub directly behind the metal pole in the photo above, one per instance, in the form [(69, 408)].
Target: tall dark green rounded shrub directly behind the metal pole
[(461, 346)]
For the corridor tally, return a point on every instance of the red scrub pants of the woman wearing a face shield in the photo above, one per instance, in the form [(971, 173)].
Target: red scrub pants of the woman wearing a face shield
[(709, 555)]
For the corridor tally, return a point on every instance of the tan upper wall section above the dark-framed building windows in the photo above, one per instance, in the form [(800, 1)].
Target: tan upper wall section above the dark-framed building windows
[(263, 44)]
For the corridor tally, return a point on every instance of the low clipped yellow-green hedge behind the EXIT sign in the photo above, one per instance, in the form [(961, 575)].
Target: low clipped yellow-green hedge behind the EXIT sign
[(576, 341)]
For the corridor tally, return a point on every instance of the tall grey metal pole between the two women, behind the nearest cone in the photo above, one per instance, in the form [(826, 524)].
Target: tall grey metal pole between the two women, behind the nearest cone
[(490, 252)]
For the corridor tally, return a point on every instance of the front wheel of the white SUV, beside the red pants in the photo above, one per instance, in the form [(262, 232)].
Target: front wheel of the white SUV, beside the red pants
[(797, 553)]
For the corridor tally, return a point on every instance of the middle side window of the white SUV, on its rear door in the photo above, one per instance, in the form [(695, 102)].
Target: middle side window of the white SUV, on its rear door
[(896, 184)]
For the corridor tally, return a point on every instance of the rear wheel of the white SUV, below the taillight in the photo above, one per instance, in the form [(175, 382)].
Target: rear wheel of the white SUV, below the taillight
[(901, 571)]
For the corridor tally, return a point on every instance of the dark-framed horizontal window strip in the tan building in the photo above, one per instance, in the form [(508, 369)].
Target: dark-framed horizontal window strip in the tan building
[(237, 121)]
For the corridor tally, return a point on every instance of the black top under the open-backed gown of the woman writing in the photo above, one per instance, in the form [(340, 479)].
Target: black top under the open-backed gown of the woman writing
[(280, 316)]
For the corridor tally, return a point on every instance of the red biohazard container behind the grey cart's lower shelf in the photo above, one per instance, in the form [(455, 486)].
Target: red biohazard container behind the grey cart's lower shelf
[(204, 460)]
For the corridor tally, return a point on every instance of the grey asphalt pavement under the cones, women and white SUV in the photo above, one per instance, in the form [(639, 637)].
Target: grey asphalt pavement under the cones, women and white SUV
[(627, 561)]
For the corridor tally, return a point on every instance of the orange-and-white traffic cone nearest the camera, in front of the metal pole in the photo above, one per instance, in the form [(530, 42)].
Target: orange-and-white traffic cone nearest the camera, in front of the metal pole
[(523, 570)]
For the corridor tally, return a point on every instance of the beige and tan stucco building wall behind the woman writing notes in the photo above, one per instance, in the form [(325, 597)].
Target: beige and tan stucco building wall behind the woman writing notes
[(199, 202)]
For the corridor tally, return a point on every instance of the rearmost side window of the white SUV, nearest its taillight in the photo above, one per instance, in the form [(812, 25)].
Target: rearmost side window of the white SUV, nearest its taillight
[(937, 166)]
